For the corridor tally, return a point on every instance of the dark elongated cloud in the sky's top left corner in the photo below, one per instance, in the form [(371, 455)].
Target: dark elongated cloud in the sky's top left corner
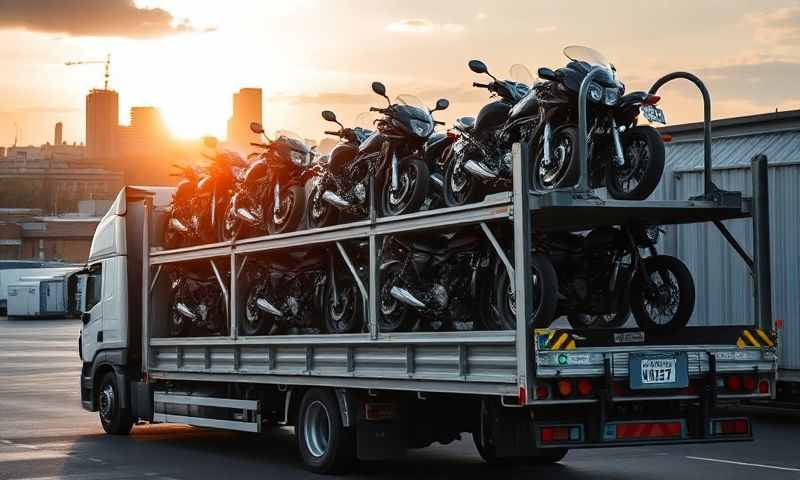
[(96, 18)]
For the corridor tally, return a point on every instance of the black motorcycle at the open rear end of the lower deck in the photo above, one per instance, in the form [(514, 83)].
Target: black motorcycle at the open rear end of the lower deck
[(603, 277)]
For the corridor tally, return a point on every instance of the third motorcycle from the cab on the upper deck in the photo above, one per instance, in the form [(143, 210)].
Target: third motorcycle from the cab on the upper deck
[(342, 177)]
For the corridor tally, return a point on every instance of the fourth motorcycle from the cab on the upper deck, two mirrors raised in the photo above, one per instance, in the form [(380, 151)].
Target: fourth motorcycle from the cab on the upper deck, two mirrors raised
[(403, 177)]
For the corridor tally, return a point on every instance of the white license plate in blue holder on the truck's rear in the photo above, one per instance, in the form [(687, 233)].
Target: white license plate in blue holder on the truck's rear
[(658, 370)]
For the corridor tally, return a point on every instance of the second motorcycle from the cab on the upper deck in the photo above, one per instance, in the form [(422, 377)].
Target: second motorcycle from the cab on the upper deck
[(270, 197)]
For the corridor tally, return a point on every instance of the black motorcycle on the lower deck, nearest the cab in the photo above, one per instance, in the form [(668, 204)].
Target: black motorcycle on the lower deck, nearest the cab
[(197, 305)]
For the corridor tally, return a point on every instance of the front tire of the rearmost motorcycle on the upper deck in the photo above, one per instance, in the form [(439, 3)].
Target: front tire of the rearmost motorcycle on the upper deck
[(638, 142)]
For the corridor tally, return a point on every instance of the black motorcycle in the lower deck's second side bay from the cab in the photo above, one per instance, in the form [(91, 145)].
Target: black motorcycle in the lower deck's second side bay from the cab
[(286, 293)]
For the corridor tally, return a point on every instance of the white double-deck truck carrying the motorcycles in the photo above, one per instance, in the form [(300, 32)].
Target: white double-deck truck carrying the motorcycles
[(524, 395)]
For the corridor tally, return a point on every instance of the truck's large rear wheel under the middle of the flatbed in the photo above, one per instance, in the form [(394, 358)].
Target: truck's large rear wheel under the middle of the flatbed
[(325, 446)]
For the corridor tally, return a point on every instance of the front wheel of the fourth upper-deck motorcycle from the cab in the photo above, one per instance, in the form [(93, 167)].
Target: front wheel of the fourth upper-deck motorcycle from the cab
[(412, 188)]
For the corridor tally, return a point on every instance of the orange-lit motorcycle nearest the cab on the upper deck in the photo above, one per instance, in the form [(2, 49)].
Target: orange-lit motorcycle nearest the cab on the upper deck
[(195, 213)]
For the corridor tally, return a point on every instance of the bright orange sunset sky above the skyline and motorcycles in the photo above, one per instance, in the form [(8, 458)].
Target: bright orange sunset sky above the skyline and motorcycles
[(187, 57)]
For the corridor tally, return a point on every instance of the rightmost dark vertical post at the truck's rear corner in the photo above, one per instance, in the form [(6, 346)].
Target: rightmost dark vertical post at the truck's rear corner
[(761, 247)]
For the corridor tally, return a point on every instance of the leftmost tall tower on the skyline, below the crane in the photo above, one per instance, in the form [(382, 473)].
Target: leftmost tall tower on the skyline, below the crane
[(102, 124)]
